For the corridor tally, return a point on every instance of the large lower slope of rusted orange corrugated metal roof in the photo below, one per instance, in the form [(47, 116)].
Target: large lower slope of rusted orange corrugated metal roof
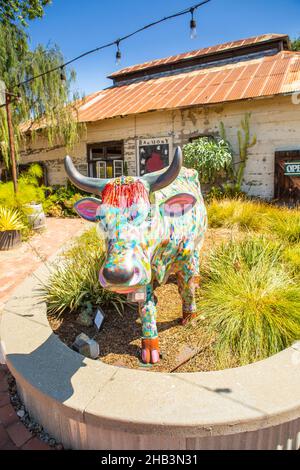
[(266, 76)]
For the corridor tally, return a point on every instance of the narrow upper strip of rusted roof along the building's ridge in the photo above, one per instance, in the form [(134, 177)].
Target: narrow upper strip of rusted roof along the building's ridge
[(199, 53)]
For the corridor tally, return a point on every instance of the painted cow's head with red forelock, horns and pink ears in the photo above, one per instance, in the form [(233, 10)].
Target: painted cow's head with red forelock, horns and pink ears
[(125, 221)]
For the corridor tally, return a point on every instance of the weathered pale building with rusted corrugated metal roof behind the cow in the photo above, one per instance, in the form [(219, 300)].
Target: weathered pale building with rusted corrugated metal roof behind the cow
[(134, 125)]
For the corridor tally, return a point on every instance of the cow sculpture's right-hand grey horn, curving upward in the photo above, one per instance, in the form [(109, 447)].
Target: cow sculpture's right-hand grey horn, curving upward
[(161, 179)]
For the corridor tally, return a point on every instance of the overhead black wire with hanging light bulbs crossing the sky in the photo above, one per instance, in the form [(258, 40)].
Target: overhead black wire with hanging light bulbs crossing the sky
[(117, 42)]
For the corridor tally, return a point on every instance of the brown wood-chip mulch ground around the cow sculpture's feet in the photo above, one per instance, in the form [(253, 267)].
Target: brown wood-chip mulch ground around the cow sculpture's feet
[(188, 348)]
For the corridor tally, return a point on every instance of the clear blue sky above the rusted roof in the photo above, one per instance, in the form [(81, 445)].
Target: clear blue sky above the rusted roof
[(78, 25)]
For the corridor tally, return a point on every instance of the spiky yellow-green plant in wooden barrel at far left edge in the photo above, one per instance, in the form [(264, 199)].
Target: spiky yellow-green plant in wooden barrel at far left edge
[(10, 228)]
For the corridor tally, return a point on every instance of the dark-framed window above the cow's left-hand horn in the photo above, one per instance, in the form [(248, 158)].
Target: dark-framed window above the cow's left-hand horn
[(105, 159)]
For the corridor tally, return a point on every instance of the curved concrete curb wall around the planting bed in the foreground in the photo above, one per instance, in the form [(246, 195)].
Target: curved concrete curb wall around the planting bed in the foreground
[(87, 404)]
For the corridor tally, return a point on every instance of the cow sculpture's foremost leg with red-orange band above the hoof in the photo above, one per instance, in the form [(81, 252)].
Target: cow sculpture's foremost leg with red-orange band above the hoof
[(150, 346)]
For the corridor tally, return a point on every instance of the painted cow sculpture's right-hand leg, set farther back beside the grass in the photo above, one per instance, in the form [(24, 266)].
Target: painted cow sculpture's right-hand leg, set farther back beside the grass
[(186, 287)]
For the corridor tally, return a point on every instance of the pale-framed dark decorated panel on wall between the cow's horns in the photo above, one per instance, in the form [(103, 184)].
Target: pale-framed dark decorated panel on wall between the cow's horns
[(153, 154)]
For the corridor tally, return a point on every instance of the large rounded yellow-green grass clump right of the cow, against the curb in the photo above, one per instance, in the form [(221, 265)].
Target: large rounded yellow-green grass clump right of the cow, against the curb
[(250, 300)]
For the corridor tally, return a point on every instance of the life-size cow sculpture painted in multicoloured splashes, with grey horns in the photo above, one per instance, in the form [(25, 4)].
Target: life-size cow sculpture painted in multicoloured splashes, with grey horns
[(152, 225)]
